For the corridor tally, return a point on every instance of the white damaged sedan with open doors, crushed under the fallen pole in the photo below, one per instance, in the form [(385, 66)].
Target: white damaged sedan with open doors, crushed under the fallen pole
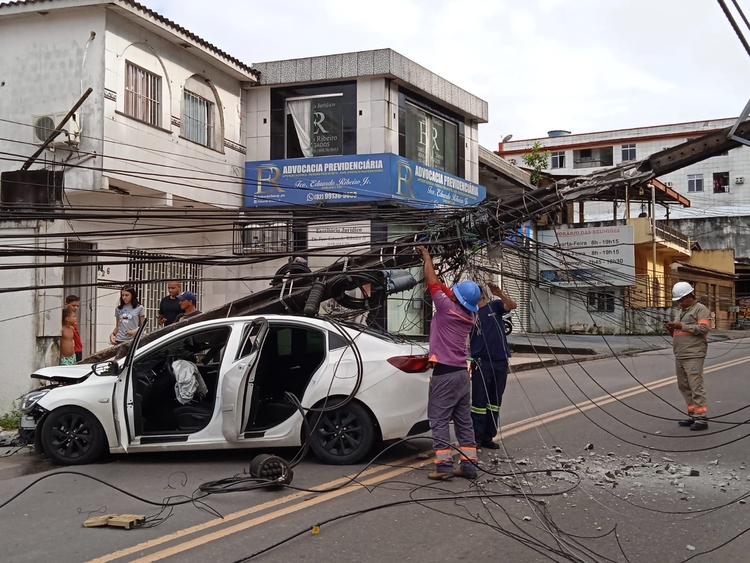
[(240, 382)]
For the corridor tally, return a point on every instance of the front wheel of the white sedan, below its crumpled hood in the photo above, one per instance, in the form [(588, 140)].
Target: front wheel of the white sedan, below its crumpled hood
[(73, 436)]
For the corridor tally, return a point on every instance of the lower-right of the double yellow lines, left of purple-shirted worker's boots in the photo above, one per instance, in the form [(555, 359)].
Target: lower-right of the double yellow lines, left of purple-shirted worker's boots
[(179, 548)]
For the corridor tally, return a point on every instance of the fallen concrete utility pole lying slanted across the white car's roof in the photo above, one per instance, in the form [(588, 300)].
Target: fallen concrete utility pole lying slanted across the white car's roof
[(486, 222)]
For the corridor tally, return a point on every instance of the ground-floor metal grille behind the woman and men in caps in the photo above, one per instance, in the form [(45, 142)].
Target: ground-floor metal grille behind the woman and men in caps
[(150, 273)]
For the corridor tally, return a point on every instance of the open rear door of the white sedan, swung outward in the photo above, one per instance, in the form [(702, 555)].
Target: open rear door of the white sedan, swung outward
[(237, 383)]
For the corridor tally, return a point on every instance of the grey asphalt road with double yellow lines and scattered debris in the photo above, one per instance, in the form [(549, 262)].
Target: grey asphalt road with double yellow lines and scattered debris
[(629, 498)]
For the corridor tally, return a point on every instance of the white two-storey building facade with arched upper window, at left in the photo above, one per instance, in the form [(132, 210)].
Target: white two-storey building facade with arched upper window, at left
[(155, 148)]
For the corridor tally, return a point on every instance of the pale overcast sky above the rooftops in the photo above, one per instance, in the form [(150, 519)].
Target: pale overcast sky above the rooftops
[(580, 65)]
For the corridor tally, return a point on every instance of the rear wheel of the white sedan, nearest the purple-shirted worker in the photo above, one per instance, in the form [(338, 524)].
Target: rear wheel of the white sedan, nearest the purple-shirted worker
[(342, 436)]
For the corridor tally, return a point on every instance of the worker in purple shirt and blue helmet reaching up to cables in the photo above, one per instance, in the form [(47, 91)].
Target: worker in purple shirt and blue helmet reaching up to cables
[(450, 384)]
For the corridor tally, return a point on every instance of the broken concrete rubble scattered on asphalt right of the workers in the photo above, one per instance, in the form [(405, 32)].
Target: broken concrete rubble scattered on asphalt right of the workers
[(642, 471)]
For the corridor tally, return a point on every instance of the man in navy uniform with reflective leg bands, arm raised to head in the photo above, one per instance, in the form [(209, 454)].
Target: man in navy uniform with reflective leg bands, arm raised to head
[(489, 374)]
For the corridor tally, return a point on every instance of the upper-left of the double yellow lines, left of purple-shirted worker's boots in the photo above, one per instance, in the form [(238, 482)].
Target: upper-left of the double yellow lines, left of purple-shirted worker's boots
[(233, 516)]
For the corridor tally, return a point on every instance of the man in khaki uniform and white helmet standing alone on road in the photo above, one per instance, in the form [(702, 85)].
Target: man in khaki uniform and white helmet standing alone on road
[(690, 341)]
